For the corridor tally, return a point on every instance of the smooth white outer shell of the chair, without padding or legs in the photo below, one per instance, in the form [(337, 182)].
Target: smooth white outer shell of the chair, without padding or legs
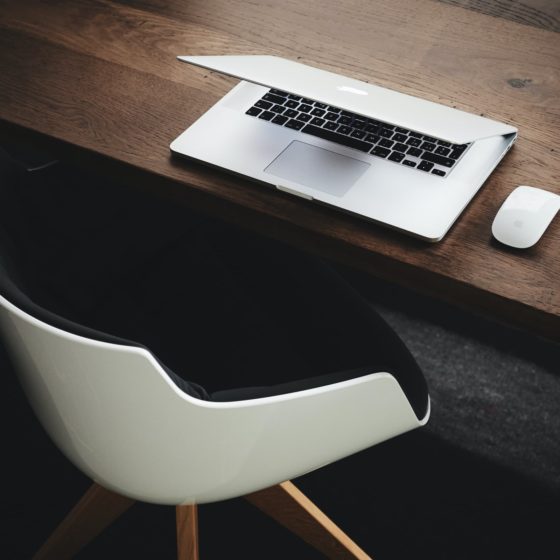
[(117, 416)]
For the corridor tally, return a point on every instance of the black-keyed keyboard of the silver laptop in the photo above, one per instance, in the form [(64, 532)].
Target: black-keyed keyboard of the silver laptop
[(383, 140)]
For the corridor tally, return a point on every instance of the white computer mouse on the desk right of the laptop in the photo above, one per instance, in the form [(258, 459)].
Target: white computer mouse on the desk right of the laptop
[(524, 216)]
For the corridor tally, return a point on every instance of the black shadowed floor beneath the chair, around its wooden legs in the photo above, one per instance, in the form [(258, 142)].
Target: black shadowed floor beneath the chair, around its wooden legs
[(416, 496)]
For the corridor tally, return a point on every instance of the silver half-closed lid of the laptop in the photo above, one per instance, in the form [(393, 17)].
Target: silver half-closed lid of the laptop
[(433, 119)]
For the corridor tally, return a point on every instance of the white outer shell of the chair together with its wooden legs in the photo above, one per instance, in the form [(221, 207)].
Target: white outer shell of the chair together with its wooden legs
[(118, 416)]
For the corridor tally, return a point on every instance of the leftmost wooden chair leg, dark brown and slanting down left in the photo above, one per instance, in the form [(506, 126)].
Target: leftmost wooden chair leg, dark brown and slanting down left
[(96, 510)]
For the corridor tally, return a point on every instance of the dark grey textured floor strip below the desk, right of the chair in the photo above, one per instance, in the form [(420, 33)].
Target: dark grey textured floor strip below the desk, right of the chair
[(495, 391)]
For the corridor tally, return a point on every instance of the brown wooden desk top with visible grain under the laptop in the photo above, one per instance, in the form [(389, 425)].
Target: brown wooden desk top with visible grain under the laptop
[(100, 80)]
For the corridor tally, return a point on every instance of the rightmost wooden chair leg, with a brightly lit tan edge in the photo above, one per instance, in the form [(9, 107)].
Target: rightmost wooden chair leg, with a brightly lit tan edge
[(292, 509)]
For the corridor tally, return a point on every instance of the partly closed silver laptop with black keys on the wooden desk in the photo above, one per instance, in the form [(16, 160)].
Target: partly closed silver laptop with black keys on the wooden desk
[(397, 160)]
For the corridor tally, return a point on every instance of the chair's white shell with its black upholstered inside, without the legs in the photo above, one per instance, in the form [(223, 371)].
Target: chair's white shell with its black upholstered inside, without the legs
[(220, 361)]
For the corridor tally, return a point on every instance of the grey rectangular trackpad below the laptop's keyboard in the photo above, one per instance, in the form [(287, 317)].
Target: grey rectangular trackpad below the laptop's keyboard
[(317, 168)]
